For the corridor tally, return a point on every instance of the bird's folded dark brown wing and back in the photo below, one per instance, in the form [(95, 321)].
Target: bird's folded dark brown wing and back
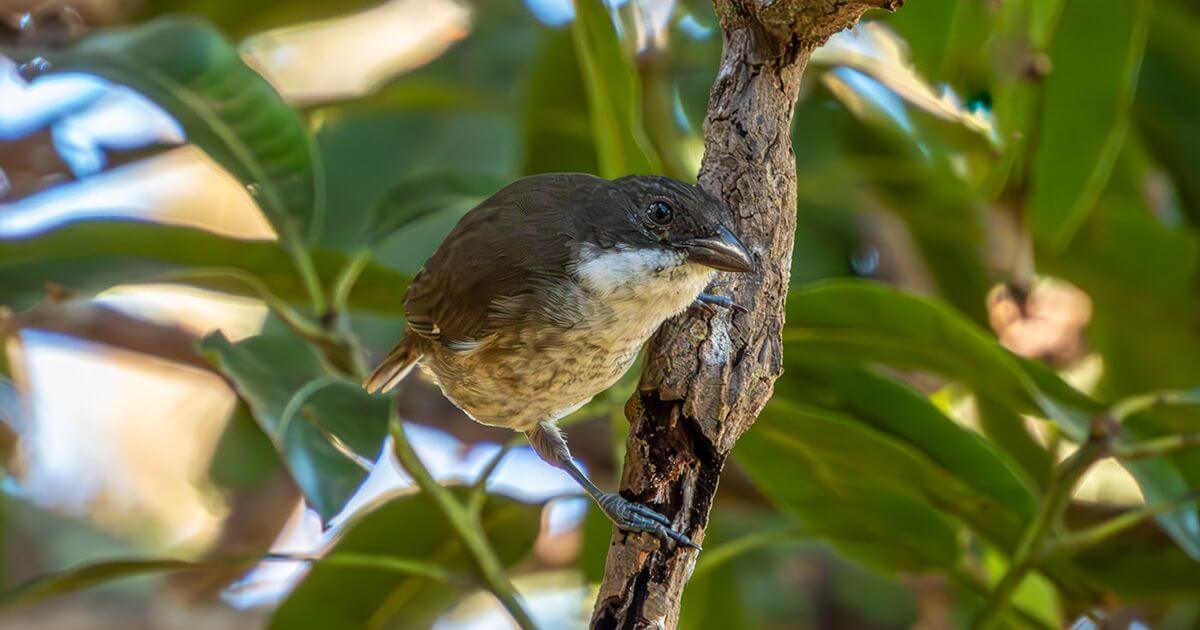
[(489, 271)]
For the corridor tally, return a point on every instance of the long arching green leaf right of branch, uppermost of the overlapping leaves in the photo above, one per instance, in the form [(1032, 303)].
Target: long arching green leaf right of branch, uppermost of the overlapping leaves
[(861, 322)]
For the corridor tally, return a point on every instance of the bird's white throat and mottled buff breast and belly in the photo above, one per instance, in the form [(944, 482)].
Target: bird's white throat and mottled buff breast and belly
[(542, 368)]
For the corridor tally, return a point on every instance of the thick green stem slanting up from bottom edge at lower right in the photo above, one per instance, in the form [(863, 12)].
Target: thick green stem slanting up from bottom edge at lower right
[(1058, 495)]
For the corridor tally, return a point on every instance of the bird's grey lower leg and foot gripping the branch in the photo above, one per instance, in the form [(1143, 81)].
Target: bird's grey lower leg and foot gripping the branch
[(548, 441)]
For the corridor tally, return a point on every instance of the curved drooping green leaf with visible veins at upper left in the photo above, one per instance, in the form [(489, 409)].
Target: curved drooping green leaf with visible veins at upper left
[(227, 110)]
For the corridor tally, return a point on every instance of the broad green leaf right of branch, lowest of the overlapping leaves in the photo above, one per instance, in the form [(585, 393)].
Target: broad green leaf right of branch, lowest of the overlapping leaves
[(877, 497)]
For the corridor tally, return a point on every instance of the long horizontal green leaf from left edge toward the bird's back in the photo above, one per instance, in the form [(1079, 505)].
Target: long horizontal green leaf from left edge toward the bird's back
[(97, 255)]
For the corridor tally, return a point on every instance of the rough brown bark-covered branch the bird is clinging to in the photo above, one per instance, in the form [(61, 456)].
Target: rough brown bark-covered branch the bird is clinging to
[(709, 376)]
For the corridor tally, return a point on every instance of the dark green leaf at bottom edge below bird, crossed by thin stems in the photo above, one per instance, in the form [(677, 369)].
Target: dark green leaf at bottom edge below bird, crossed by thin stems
[(410, 527)]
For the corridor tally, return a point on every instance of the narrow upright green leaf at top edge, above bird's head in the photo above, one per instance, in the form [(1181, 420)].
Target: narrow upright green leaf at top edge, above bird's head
[(614, 94)]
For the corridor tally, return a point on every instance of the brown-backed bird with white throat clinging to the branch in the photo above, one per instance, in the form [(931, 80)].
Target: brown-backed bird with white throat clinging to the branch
[(543, 296)]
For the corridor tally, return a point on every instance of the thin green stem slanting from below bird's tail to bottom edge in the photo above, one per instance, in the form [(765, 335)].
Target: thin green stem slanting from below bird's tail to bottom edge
[(469, 530)]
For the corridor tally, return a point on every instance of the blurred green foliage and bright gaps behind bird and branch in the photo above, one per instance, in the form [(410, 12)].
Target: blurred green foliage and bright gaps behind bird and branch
[(209, 212)]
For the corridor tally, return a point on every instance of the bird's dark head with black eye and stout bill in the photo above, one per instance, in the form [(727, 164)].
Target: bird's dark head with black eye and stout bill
[(671, 215)]
